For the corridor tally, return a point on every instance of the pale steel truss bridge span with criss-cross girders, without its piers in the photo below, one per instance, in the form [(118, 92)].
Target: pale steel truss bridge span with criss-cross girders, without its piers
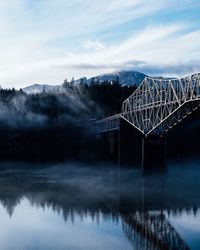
[(156, 106)]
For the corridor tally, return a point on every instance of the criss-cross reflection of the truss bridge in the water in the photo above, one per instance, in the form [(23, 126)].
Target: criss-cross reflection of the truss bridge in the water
[(151, 231)]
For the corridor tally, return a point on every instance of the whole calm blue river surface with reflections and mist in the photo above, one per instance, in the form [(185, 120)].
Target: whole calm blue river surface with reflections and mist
[(79, 207)]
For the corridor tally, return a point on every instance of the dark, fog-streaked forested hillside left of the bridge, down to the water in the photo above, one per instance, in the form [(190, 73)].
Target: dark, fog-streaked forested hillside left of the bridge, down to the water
[(55, 125)]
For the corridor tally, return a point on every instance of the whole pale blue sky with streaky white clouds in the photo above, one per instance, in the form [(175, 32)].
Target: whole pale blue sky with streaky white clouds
[(46, 41)]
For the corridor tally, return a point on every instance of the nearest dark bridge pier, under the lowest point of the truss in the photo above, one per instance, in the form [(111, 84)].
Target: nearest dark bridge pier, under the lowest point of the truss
[(153, 153)]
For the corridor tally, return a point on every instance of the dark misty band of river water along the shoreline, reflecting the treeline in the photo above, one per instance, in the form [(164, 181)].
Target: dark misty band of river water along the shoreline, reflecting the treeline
[(100, 187)]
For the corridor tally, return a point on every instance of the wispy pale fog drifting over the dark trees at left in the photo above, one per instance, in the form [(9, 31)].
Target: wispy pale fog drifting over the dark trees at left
[(72, 106)]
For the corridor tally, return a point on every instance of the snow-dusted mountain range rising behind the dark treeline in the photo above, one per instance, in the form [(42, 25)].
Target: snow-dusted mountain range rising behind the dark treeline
[(124, 77)]
